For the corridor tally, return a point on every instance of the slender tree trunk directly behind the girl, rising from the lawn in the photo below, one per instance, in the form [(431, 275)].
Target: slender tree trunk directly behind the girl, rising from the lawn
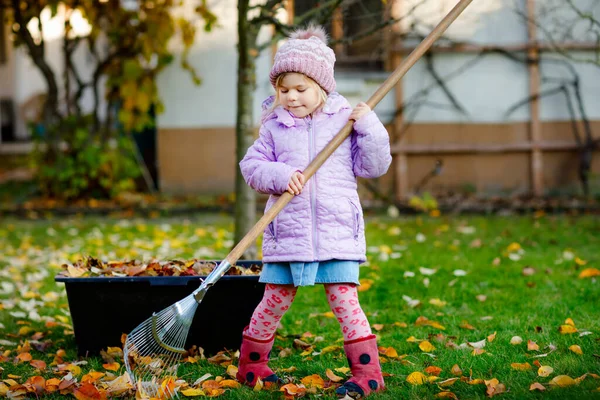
[(245, 197)]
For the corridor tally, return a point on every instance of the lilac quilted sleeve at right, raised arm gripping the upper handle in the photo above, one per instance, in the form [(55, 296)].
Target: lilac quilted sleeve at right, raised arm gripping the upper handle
[(371, 155)]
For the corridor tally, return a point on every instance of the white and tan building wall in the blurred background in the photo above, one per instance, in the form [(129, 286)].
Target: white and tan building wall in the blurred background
[(196, 135)]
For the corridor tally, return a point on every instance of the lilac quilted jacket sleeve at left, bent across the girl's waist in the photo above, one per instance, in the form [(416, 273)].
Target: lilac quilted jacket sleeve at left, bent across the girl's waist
[(260, 168)]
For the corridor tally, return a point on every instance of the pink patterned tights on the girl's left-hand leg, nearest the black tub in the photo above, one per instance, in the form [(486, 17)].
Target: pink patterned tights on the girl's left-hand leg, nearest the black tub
[(265, 319)]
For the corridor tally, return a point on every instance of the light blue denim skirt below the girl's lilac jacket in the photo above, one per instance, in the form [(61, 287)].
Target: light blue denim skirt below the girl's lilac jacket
[(309, 273)]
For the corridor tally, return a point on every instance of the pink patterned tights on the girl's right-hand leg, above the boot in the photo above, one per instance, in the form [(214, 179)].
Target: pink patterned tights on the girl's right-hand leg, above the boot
[(343, 300)]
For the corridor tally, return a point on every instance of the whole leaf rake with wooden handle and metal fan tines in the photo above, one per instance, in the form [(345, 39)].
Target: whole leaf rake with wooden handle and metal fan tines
[(153, 349)]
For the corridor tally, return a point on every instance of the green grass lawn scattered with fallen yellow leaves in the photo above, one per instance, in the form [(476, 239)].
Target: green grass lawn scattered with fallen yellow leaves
[(473, 276)]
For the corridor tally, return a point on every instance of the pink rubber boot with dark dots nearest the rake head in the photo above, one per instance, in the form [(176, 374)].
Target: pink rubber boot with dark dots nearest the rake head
[(254, 355)]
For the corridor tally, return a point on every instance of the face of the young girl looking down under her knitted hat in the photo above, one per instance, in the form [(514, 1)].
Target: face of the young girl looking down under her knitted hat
[(298, 95)]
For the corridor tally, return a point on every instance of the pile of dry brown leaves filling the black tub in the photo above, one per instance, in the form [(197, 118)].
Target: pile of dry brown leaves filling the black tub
[(90, 267)]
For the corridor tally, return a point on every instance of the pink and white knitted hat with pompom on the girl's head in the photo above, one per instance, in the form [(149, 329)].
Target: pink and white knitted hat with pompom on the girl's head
[(306, 52)]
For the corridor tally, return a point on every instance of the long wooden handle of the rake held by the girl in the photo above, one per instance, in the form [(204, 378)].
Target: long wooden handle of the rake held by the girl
[(312, 168)]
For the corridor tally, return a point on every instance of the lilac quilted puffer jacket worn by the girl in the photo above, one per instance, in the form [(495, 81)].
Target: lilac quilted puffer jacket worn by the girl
[(325, 221)]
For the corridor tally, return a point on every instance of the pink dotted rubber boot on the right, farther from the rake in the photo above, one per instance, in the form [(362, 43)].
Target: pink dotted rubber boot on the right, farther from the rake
[(363, 359)]
